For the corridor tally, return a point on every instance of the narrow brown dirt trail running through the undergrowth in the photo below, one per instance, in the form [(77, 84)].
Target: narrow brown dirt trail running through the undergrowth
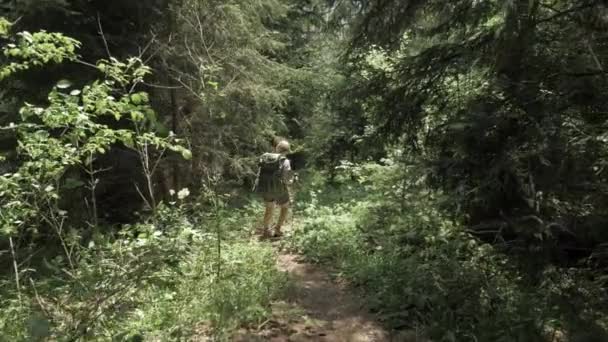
[(316, 309)]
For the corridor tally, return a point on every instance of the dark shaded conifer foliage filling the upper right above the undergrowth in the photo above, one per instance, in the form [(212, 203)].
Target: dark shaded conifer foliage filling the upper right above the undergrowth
[(509, 118)]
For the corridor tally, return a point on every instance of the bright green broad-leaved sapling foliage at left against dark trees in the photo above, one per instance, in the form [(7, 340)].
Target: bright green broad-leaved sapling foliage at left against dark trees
[(69, 133)]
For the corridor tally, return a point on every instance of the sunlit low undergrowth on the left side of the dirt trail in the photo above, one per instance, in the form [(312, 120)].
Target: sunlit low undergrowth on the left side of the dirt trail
[(165, 282)]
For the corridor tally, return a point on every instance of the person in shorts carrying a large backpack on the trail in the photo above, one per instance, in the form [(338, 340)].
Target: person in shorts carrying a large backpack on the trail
[(274, 185)]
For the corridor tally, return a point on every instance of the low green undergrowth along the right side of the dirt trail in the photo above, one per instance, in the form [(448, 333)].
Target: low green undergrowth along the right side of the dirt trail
[(384, 231)]
